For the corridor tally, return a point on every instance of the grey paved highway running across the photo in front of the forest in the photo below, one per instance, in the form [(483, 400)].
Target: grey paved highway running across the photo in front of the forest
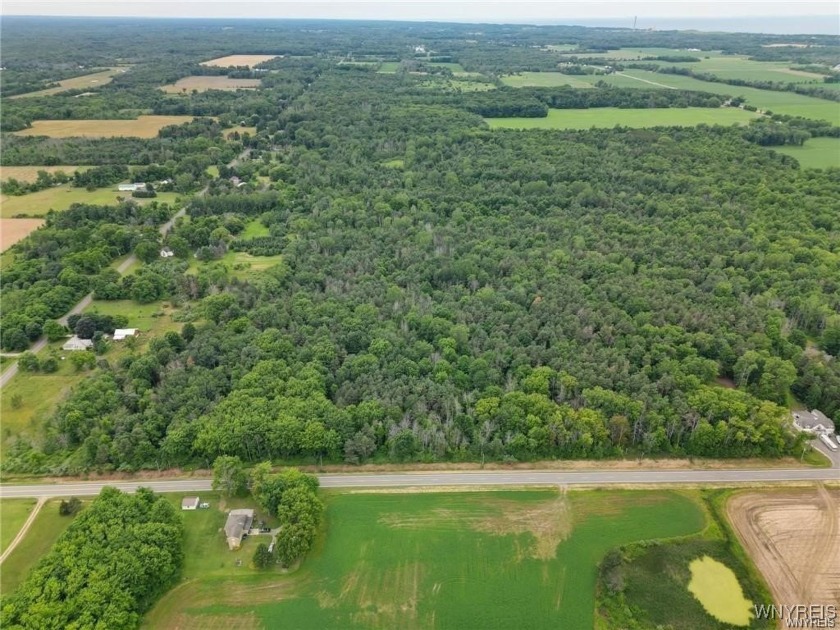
[(458, 479)]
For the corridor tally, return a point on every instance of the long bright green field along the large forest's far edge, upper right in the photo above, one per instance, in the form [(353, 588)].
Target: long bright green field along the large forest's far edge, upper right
[(612, 116)]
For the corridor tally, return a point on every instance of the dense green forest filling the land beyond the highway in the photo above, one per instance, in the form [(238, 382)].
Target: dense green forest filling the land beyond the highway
[(443, 291)]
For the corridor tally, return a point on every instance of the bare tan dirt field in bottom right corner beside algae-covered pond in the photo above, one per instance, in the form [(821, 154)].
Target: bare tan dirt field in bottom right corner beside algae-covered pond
[(793, 536)]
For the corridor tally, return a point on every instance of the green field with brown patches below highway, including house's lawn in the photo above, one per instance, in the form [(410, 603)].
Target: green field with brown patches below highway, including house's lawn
[(513, 559)]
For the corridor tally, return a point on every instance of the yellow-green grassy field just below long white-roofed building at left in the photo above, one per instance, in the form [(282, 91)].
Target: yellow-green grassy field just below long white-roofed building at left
[(62, 197)]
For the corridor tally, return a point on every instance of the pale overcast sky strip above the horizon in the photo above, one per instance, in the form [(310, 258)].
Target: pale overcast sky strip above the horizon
[(455, 10)]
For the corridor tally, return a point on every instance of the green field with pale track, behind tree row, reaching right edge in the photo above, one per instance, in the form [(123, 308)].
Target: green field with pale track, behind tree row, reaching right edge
[(778, 102)]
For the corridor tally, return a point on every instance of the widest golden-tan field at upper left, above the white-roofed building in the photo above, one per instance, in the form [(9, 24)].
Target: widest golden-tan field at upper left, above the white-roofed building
[(141, 127)]
